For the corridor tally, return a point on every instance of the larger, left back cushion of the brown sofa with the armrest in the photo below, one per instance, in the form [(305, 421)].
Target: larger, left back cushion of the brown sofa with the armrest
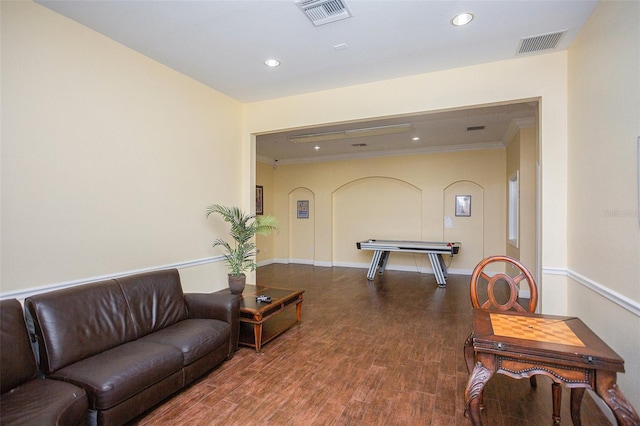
[(78, 322)]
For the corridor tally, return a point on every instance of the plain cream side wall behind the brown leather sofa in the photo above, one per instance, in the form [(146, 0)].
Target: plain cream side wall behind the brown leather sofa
[(108, 158)]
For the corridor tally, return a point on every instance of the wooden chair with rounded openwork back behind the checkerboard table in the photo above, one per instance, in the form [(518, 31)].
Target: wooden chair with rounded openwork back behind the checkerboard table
[(483, 296)]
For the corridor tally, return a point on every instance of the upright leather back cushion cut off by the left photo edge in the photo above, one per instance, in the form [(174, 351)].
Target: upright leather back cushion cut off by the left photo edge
[(17, 362)]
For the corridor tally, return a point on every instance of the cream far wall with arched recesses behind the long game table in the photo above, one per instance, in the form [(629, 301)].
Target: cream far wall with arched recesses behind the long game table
[(391, 198)]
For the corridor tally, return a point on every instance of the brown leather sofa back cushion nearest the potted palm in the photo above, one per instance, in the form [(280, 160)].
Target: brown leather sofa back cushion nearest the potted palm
[(155, 300)]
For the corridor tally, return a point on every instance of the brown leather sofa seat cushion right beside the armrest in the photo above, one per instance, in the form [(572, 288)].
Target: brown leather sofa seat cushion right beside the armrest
[(195, 338)]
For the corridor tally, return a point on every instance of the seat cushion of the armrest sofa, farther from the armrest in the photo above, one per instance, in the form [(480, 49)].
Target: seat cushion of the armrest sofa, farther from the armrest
[(115, 375)]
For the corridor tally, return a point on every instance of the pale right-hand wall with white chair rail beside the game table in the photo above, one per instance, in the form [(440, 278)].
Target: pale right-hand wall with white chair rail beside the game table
[(603, 230)]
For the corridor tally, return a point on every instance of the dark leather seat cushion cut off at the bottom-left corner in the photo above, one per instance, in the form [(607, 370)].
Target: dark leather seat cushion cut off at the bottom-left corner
[(44, 402)]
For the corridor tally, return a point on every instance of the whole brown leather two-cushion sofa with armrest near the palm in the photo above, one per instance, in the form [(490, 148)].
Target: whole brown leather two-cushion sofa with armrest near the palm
[(131, 342)]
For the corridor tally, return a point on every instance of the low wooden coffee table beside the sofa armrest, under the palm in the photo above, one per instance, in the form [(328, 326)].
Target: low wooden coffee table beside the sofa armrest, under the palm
[(261, 322)]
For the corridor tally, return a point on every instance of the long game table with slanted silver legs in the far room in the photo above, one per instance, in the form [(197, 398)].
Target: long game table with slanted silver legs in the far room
[(435, 250)]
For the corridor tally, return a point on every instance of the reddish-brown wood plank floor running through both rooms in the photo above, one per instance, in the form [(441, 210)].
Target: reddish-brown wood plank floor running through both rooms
[(387, 352)]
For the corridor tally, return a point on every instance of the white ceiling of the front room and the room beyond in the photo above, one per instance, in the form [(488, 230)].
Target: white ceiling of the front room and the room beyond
[(223, 44)]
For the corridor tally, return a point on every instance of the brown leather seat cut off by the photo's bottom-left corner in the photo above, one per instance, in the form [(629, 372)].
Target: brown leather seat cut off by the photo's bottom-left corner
[(25, 398)]
